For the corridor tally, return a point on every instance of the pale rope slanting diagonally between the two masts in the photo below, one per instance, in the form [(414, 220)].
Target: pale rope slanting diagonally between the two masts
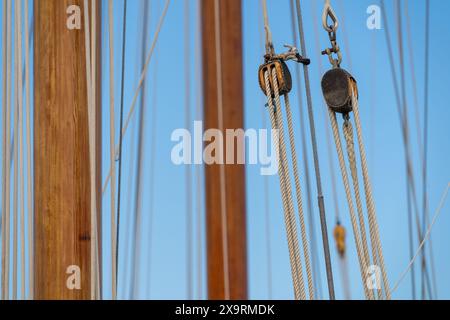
[(138, 89)]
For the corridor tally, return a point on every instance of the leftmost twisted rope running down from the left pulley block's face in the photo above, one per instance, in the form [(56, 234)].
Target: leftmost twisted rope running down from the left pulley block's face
[(293, 249)]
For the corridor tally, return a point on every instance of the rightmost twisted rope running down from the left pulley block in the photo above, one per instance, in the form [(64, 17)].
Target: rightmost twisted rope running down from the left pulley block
[(299, 198)]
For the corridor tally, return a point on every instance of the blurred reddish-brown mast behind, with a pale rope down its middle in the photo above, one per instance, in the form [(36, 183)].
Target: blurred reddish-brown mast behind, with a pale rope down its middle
[(232, 91)]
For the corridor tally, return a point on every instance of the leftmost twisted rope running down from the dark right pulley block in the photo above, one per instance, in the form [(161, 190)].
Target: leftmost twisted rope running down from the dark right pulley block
[(361, 259)]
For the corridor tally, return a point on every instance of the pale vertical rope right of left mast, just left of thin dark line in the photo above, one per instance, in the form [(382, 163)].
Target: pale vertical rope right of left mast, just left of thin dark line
[(112, 131)]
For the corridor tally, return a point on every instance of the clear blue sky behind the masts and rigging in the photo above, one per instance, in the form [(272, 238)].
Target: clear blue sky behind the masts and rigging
[(161, 262)]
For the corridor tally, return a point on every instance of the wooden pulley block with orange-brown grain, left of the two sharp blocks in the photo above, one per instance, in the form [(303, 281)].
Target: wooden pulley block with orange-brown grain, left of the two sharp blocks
[(283, 76)]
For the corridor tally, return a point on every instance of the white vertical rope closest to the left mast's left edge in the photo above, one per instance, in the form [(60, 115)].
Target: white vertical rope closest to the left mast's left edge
[(29, 156)]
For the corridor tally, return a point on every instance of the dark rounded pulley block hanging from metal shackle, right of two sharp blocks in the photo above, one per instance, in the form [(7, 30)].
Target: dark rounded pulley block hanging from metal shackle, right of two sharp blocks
[(337, 88)]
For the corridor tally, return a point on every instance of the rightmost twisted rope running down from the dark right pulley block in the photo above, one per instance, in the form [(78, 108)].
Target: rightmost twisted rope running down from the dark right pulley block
[(373, 224)]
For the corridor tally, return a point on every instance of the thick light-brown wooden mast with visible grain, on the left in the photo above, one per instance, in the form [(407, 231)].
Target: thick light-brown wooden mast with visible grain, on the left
[(61, 152)]
